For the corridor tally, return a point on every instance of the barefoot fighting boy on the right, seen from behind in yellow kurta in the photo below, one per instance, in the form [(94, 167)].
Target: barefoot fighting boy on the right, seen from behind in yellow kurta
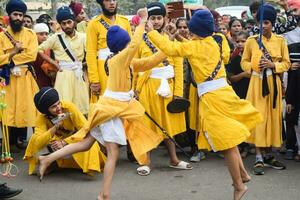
[(225, 120)]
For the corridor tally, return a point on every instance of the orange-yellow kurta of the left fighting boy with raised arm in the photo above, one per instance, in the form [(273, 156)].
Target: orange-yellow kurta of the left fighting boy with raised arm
[(141, 139)]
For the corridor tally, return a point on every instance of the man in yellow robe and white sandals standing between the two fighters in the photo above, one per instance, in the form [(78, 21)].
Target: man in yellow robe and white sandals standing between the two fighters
[(158, 87)]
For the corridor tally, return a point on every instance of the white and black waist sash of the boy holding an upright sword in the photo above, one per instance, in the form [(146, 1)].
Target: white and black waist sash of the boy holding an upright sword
[(265, 87)]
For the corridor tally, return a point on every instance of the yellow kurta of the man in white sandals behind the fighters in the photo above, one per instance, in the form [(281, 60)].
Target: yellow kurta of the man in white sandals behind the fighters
[(155, 105)]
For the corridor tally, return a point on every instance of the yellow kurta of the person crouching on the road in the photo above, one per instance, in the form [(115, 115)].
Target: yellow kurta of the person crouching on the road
[(88, 161)]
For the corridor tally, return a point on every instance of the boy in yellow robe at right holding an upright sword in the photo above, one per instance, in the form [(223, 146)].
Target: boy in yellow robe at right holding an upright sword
[(265, 91)]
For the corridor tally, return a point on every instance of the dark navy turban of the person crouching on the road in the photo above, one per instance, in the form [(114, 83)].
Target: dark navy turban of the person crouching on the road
[(45, 98)]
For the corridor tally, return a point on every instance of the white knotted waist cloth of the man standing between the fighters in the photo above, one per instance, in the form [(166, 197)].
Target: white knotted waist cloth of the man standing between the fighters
[(163, 73)]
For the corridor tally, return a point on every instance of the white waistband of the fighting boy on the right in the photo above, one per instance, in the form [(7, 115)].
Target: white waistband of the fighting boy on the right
[(210, 86)]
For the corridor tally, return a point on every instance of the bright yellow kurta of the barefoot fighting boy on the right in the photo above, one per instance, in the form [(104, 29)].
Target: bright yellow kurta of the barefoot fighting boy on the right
[(225, 120)]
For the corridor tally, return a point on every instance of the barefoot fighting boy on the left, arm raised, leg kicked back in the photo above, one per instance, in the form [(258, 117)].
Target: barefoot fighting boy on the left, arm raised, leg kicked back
[(117, 107)]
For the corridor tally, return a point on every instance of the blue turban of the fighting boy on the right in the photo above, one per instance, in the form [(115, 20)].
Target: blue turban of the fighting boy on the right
[(202, 23)]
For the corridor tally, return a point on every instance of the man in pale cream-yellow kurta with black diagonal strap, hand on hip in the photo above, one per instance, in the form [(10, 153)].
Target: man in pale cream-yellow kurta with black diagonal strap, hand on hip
[(69, 53)]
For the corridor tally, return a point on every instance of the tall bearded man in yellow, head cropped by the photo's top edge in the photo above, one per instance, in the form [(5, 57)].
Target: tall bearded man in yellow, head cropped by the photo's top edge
[(96, 47)]
